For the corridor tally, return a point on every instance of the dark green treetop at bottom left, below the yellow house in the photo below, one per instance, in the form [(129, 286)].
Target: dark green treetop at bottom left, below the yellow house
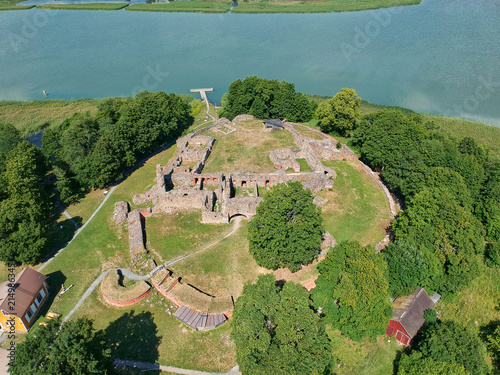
[(76, 349)]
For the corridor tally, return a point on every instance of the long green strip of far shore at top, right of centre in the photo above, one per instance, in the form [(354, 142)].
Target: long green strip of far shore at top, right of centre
[(308, 6)]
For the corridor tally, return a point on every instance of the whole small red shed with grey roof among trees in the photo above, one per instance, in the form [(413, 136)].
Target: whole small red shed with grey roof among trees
[(408, 315)]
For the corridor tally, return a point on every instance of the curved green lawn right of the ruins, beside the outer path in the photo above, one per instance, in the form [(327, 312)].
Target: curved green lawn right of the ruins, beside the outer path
[(356, 207)]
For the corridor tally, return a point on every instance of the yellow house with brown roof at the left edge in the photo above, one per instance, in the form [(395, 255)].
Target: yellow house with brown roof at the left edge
[(22, 300)]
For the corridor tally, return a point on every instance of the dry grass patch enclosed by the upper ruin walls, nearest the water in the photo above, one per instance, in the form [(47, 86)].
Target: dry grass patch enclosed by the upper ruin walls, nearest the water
[(247, 149)]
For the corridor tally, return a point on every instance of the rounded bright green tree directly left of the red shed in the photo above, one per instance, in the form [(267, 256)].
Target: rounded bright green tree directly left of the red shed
[(352, 291)]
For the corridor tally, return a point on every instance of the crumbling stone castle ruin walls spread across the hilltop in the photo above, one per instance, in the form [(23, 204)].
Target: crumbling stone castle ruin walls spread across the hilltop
[(180, 187)]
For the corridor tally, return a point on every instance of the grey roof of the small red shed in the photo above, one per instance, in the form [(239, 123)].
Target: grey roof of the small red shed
[(409, 310)]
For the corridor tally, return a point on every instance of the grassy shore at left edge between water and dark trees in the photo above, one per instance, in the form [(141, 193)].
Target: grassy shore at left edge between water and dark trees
[(29, 117)]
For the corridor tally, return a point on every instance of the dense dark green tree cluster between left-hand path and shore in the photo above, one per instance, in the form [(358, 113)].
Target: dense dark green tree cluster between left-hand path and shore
[(93, 152)]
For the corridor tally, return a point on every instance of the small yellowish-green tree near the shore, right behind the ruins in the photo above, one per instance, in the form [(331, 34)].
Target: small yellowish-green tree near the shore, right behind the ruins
[(340, 112)]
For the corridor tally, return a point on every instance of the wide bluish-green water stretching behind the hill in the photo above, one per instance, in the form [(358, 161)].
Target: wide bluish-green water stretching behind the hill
[(441, 56)]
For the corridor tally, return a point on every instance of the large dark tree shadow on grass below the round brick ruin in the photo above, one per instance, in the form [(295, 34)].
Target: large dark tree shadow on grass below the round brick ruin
[(134, 337)]
